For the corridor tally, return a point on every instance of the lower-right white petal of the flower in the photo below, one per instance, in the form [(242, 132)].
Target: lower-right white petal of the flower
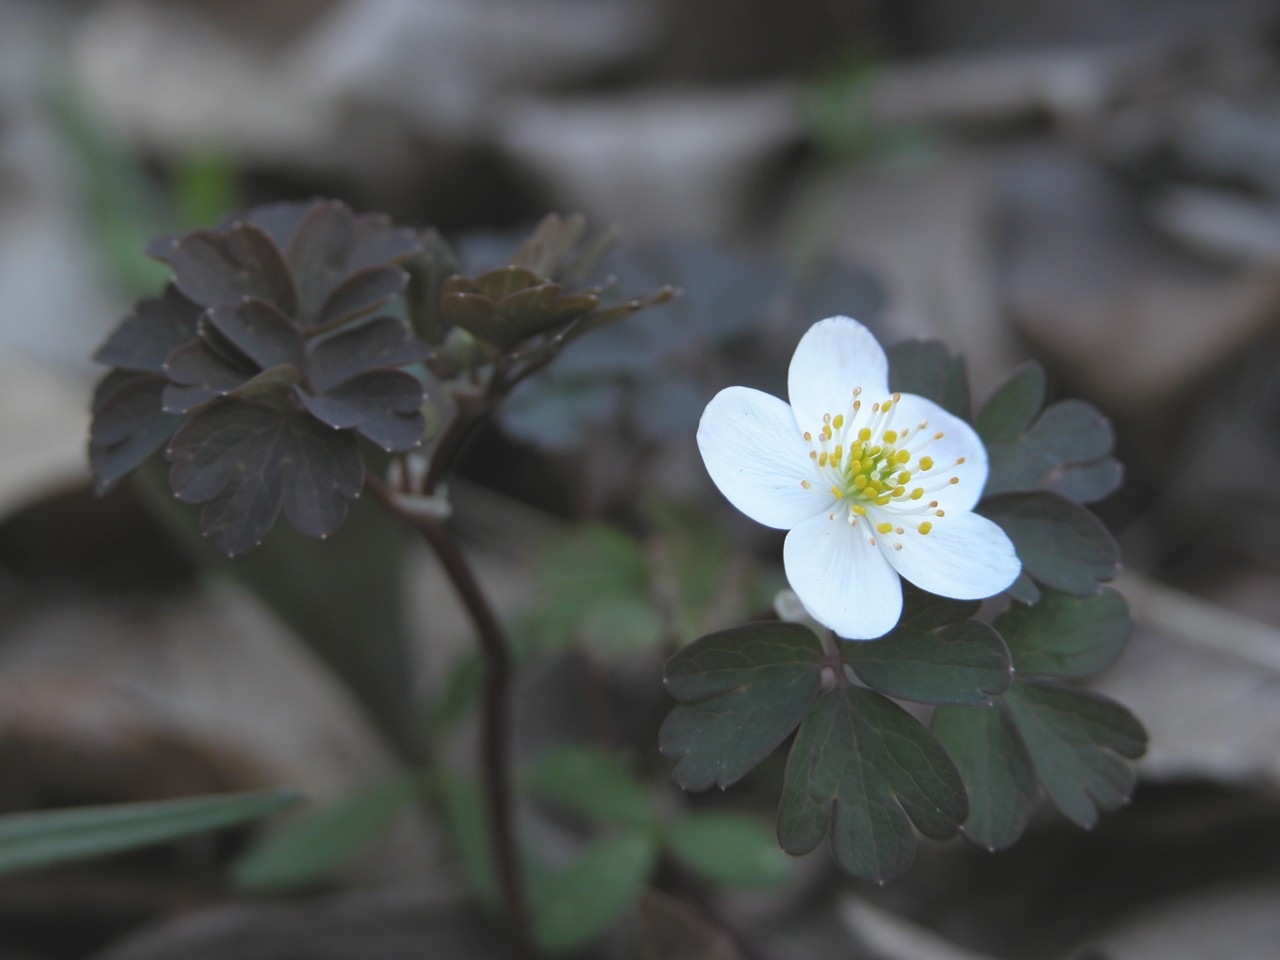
[(964, 556)]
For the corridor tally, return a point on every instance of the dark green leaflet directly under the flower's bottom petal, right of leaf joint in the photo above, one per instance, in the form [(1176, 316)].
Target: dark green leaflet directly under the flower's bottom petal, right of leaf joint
[(958, 664)]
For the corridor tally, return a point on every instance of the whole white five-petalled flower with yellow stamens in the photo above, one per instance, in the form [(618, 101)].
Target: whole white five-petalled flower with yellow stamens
[(871, 486)]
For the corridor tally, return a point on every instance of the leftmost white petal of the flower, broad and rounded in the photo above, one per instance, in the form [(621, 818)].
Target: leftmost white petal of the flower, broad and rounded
[(755, 452)]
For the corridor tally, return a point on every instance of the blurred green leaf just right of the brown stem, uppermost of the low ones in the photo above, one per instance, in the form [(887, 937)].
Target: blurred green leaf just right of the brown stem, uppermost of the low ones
[(592, 783)]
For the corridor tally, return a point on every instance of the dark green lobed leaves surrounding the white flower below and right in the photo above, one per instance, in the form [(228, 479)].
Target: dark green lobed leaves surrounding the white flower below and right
[(1004, 725)]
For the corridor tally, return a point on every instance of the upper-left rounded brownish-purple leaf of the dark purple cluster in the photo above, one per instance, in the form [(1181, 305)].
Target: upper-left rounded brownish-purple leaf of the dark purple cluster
[(214, 267)]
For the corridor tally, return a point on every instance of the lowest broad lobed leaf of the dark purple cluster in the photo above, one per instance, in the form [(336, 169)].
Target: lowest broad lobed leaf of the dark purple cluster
[(246, 461)]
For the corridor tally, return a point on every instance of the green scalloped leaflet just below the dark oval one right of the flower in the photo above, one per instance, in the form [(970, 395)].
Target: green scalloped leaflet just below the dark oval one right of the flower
[(1067, 637)]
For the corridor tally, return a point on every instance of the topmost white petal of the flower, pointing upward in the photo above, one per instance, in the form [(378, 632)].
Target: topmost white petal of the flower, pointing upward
[(834, 358)]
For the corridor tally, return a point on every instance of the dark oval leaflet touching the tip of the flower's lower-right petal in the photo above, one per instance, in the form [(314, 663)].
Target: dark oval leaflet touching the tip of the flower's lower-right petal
[(1062, 545)]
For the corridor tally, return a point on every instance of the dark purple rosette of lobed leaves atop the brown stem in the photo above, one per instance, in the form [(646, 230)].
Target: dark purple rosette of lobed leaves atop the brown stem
[(260, 364)]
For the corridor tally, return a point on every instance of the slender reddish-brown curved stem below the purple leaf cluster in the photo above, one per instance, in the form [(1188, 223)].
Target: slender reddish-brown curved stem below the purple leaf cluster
[(496, 708)]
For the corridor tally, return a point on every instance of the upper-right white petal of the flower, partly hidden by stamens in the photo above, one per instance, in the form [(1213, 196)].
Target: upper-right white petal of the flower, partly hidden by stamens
[(958, 441)]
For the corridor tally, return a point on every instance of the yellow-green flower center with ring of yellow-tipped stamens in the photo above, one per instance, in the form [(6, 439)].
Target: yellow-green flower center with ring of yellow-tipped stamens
[(880, 472)]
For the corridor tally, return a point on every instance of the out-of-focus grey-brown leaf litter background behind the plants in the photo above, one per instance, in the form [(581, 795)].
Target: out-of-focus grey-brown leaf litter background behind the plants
[(1095, 186)]
